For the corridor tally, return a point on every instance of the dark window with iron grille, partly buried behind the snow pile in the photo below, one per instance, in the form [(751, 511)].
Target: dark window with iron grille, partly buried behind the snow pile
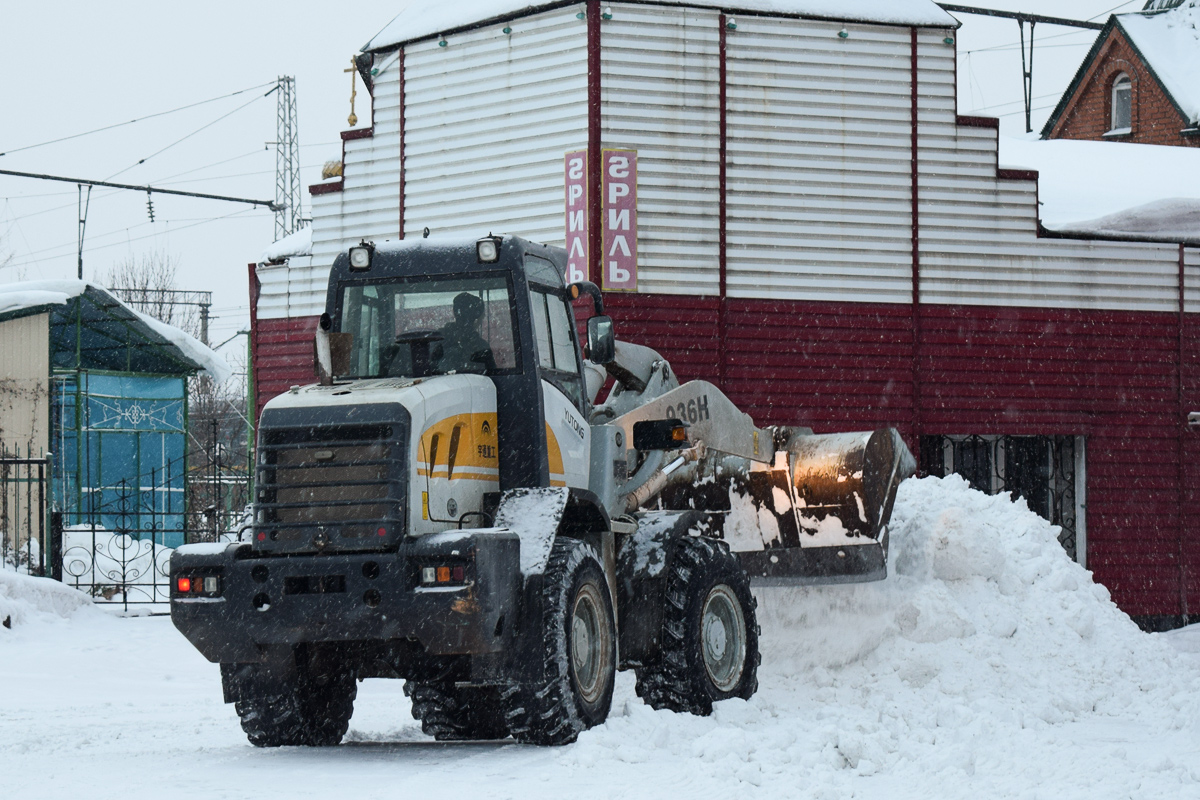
[(1046, 471)]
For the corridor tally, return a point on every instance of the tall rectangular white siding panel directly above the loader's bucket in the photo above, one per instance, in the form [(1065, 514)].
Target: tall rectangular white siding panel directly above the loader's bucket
[(819, 177)]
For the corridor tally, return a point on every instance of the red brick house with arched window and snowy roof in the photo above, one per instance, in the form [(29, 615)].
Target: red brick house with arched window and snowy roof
[(1139, 83)]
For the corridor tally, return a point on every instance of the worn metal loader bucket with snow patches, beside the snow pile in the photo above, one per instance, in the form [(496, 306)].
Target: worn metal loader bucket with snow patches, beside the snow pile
[(823, 509)]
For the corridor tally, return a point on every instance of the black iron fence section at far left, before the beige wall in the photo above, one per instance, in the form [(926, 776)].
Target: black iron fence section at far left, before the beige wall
[(25, 495)]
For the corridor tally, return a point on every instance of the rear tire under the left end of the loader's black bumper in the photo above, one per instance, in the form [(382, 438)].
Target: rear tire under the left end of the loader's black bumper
[(308, 708)]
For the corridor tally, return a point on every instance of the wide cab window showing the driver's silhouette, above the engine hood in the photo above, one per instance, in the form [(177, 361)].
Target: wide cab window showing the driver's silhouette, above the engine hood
[(427, 327)]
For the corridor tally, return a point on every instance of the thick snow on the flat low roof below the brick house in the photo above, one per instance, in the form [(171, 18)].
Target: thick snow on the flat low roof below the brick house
[(1113, 189)]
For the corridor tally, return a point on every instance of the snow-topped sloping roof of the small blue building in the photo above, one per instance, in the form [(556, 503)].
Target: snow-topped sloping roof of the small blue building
[(107, 321)]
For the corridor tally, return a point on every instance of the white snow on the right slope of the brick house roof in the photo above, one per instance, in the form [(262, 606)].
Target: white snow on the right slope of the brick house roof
[(1171, 44)]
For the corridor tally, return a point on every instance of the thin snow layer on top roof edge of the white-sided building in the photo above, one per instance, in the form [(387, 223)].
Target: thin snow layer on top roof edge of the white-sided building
[(425, 19)]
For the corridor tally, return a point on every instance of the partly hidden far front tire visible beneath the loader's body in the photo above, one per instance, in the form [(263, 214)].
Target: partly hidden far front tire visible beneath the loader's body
[(458, 714)]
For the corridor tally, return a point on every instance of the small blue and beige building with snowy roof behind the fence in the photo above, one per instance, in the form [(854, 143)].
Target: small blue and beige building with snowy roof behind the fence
[(111, 410)]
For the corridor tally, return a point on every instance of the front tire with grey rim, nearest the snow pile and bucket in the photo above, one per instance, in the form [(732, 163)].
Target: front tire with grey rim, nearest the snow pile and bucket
[(710, 642)]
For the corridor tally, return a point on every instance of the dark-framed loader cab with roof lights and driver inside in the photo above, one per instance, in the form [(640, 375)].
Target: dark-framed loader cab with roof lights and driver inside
[(495, 306)]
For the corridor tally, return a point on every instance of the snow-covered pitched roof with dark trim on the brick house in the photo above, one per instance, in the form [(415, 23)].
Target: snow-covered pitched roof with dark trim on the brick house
[(1168, 41)]
